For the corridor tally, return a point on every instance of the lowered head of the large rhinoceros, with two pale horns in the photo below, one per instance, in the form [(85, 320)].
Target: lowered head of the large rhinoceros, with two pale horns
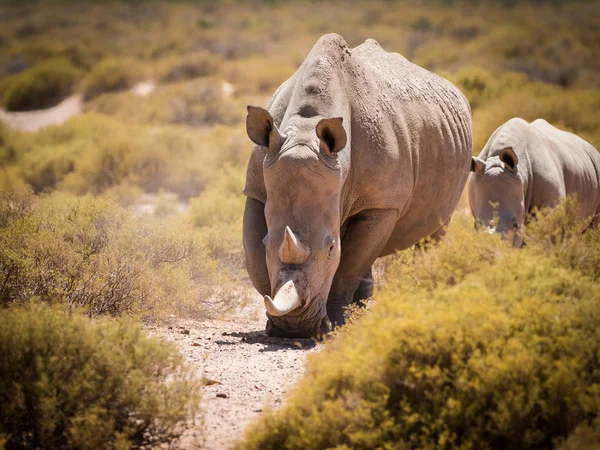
[(303, 181)]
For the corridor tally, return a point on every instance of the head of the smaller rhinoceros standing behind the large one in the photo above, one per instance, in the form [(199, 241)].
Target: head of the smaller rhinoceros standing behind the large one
[(496, 195)]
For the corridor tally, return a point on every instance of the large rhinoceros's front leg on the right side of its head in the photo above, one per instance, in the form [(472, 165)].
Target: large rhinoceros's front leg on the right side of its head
[(364, 239)]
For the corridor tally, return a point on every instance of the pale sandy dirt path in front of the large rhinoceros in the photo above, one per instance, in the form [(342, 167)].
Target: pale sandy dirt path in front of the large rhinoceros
[(253, 371)]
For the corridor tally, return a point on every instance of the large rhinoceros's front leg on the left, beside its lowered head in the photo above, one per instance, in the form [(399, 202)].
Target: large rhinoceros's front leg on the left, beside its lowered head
[(255, 229)]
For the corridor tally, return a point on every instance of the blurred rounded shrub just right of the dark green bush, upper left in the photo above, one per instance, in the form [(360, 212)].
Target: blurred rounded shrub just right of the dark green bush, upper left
[(110, 75)]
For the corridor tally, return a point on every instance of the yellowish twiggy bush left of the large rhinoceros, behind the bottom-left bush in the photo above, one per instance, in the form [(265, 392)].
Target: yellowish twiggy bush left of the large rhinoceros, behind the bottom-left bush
[(91, 254)]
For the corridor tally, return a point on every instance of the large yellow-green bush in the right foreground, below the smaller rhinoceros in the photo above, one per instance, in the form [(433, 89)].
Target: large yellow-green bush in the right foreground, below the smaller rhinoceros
[(470, 345)]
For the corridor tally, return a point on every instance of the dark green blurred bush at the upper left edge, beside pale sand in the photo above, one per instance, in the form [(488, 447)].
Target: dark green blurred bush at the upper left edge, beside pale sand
[(41, 86)]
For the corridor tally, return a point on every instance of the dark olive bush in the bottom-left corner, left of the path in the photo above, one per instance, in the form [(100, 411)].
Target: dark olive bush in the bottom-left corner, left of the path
[(69, 382)]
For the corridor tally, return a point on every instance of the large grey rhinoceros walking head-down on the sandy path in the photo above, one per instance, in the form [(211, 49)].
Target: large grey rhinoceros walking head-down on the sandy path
[(358, 154)]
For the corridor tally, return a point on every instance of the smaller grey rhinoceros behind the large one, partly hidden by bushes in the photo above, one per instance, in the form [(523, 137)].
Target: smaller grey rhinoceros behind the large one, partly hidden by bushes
[(525, 166)]
